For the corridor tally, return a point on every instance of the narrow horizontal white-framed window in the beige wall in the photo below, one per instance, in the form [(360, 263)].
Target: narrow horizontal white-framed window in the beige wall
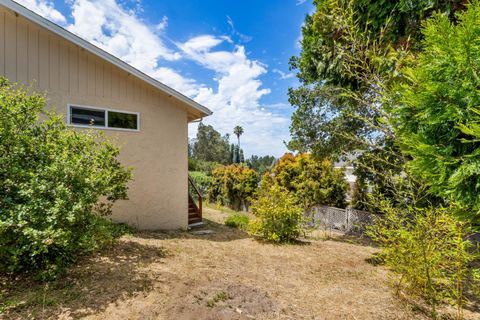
[(103, 118)]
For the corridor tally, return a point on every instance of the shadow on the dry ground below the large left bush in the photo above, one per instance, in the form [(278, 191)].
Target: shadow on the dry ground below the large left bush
[(88, 288)]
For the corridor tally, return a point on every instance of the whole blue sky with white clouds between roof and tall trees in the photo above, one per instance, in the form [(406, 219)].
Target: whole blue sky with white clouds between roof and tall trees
[(231, 56)]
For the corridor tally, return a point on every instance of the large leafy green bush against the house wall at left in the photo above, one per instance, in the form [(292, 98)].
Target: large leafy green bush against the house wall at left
[(56, 183)]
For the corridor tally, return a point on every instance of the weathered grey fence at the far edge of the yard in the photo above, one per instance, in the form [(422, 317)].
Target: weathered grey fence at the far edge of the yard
[(343, 220)]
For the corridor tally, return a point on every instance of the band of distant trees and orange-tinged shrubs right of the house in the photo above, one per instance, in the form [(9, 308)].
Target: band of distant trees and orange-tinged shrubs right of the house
[(219, 169)]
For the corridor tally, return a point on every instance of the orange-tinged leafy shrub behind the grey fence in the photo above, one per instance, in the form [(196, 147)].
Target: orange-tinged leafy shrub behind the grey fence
[(312, 182)]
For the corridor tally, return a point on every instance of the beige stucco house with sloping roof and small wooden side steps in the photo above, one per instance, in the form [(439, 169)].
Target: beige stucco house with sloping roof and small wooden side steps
[(92, 88)]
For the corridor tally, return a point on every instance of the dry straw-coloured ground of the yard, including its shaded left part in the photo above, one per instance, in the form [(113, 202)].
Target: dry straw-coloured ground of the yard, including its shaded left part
[(221, 275)]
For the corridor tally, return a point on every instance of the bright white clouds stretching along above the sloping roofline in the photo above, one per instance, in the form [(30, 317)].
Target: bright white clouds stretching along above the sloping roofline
[(235, 99)]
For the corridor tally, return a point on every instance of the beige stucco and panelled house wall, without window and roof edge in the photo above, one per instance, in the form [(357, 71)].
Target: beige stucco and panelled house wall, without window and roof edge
[(69, 74)]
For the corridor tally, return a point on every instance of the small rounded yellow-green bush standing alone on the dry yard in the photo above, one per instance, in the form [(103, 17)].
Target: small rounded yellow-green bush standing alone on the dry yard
[(278, 216)]
